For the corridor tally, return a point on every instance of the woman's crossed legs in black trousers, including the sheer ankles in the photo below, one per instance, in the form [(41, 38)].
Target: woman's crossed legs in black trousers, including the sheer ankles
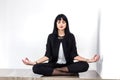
[(50, 69)]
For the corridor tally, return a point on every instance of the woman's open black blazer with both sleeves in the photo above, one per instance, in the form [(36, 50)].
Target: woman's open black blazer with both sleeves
[(69, 48)]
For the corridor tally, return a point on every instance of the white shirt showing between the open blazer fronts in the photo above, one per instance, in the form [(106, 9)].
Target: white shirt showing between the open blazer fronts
[(61, 57)]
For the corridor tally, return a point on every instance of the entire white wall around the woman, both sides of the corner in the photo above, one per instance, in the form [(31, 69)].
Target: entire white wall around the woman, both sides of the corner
[(25, 25)]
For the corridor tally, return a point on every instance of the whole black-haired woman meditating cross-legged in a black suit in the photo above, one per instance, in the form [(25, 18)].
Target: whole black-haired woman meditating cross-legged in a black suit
[(60, 53)]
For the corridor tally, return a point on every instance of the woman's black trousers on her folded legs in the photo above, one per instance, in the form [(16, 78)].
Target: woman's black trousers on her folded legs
[(47, 68)]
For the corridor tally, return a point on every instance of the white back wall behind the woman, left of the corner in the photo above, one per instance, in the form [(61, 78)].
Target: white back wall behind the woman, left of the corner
[(25, 25)]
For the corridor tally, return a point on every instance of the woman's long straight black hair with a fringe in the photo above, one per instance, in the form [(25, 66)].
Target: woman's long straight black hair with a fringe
[(55, 30)]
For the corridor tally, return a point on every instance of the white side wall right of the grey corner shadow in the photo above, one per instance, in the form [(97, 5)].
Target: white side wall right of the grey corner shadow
[(110, 38)]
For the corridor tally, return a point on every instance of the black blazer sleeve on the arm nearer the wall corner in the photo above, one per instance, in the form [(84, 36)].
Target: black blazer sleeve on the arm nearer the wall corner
[(73, 49)]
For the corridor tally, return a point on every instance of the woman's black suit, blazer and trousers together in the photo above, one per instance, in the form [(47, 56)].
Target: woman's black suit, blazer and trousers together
[(70, 51)]
